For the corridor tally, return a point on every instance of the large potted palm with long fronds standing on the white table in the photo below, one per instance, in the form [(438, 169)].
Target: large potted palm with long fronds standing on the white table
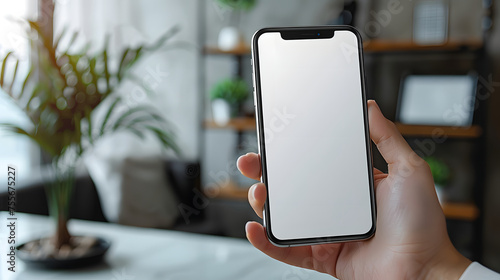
[(59, 95)]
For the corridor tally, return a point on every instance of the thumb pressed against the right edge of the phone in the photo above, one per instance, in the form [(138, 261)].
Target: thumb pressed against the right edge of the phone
[(386, 136)]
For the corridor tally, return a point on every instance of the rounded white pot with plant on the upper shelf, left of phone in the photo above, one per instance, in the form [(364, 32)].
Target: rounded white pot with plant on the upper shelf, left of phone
[(230, 36)]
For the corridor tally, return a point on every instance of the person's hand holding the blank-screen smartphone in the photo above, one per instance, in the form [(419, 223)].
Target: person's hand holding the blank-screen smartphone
[(411, 241)]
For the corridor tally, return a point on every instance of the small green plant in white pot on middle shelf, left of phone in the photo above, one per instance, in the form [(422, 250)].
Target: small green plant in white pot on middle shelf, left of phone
[(227, 97)]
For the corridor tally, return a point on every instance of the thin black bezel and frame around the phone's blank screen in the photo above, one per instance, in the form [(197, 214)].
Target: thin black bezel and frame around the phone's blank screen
[(260, 135)]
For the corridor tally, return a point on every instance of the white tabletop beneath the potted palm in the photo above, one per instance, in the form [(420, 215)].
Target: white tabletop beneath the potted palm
[(141, 253)]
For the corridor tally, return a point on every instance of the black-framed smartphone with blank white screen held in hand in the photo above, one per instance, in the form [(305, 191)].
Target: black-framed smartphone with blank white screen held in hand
[(313, 135)]
